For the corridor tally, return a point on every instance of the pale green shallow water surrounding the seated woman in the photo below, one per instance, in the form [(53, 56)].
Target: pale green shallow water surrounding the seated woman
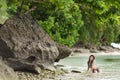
[(108, 64)]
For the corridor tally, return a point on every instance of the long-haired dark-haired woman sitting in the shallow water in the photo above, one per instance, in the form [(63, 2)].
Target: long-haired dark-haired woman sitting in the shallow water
[(91, 64)]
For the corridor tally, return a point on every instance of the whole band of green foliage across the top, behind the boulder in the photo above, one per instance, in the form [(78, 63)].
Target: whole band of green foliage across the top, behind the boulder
[(69, 21)]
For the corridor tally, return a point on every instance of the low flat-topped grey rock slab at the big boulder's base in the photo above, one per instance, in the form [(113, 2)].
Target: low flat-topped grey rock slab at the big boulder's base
[(24, 65)]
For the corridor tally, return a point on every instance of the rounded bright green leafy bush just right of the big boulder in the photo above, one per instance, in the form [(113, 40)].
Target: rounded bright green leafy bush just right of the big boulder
[(63, 22)]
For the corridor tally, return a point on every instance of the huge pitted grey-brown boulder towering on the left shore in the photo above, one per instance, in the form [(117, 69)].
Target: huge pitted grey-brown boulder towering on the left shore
[(24, 42)]
